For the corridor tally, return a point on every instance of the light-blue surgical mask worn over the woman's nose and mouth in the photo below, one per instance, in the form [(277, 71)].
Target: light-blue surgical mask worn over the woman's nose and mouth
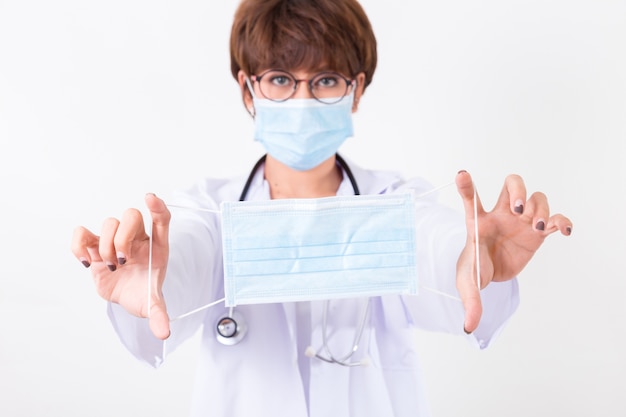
[(302, 133)]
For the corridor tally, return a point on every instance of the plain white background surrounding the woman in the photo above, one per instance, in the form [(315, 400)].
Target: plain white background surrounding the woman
[(101, 102)]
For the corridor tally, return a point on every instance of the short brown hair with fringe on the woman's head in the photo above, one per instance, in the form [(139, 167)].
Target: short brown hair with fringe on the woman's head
[(302, 34)]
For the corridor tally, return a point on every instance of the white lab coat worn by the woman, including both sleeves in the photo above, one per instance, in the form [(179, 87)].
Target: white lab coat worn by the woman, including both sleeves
[(268, 374)]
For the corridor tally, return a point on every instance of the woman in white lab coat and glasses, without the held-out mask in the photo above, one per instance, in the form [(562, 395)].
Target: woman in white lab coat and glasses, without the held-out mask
[(303, 67)]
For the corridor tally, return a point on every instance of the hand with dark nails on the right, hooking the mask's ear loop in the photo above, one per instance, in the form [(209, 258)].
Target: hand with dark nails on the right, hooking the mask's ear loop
[(508, 237)]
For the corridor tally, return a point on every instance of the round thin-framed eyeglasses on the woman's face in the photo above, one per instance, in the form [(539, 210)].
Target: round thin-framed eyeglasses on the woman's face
[(326, 87)]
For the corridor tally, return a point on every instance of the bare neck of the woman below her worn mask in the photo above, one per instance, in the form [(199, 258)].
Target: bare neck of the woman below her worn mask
[(285, 182)]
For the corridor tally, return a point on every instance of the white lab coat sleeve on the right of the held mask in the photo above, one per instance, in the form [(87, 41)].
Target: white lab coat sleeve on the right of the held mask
[(441, 236)]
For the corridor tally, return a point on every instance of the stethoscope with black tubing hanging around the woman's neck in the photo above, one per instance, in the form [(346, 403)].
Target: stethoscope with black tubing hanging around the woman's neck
[(232, 328)]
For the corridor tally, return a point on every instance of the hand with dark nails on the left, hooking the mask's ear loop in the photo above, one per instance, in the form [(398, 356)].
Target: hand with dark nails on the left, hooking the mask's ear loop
[(119, 259)]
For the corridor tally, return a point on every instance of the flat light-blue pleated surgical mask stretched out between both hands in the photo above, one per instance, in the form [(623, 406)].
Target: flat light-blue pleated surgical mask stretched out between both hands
[(314, 249)]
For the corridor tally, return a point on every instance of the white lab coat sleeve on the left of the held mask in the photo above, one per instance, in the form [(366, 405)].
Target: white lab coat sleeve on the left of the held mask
[(193, 279)]
